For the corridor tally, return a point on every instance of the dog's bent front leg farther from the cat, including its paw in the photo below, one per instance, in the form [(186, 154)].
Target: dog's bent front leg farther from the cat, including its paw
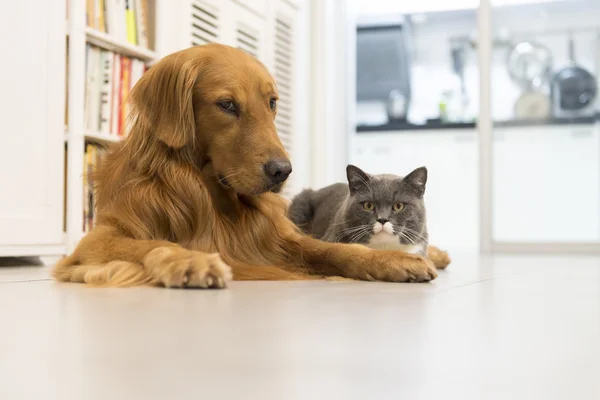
[(105, 257)]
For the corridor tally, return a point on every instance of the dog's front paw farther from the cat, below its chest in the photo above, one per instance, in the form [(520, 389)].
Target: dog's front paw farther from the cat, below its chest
[(177, 268)]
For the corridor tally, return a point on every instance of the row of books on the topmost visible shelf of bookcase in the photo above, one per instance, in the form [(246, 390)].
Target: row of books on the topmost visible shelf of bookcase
[(125, 20)]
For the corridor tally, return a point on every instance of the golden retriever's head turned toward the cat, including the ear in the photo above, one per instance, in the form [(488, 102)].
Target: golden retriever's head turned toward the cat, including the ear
[(220, 103)]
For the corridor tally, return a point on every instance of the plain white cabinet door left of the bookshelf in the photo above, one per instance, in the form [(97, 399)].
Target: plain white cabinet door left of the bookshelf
[(32, 102)]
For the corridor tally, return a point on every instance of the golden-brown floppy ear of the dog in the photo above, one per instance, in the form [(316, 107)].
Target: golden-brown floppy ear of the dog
[(163, 100)]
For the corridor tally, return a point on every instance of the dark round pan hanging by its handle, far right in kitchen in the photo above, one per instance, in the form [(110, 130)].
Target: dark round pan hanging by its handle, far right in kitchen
[(573, 89)]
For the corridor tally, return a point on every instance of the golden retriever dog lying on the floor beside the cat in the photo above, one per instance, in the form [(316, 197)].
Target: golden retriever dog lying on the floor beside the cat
[(190, 199)]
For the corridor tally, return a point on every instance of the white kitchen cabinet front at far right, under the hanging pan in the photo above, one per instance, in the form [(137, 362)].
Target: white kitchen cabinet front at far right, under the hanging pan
[(546, 184)]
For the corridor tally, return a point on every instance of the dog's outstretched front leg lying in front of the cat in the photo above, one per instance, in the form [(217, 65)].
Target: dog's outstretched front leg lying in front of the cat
[(359, 262)]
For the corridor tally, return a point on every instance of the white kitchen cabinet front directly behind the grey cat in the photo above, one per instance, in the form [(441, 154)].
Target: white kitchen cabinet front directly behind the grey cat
[(450, 156)]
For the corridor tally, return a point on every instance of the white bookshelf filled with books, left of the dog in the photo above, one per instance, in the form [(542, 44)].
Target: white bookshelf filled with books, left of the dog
[(101, 48)]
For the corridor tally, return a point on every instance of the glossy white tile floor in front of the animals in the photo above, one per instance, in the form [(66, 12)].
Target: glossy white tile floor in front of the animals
[(488, 328)]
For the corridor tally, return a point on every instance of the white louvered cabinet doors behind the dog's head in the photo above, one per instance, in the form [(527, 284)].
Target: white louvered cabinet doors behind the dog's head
[(266, 29)]
